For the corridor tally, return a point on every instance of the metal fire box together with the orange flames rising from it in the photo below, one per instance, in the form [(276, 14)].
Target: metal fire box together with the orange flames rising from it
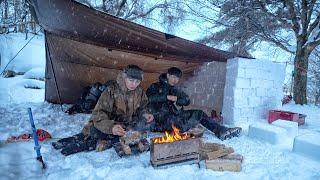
[(174, 147)]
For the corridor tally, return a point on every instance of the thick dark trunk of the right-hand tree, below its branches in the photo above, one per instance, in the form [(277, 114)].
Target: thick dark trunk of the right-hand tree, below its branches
[(300, 77)]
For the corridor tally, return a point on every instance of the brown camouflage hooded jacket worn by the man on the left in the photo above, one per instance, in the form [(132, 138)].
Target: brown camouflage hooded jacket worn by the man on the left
[(117, 105)]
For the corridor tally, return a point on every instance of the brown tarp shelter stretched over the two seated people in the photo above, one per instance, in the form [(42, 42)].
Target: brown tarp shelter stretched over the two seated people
[(84, 46)]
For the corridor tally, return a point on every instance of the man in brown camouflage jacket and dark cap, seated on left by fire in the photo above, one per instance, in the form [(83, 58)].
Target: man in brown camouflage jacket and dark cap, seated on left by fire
[(121, 107)]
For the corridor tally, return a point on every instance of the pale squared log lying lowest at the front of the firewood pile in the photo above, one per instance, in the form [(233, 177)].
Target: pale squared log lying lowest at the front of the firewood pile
[(223, 165)]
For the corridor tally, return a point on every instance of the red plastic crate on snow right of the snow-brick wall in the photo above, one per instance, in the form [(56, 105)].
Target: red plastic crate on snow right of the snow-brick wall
[(286, 115)]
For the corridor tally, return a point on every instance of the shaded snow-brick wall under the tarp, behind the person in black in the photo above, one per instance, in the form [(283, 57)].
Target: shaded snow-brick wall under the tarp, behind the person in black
[(206, 87)]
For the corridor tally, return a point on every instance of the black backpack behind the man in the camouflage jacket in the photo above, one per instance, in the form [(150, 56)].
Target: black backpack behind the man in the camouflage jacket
[(89, 98)]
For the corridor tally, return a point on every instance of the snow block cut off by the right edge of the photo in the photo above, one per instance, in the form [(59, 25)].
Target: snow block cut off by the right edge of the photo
[(308, 145)]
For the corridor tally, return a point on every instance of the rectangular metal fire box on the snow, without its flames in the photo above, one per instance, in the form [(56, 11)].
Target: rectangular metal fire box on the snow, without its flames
[(175, 152)]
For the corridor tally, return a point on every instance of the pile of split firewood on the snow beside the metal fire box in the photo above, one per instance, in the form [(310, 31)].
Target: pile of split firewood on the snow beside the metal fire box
[(218, 157)]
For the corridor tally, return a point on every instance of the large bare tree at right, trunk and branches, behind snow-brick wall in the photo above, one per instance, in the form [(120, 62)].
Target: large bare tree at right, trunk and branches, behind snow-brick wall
[(292, 25)]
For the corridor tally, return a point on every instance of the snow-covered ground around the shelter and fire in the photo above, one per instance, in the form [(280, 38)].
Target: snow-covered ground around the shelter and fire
[(261, 160)]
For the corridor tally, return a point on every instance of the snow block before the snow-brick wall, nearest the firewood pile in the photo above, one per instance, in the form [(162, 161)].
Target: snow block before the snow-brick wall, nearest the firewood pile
[(266, 132)]
